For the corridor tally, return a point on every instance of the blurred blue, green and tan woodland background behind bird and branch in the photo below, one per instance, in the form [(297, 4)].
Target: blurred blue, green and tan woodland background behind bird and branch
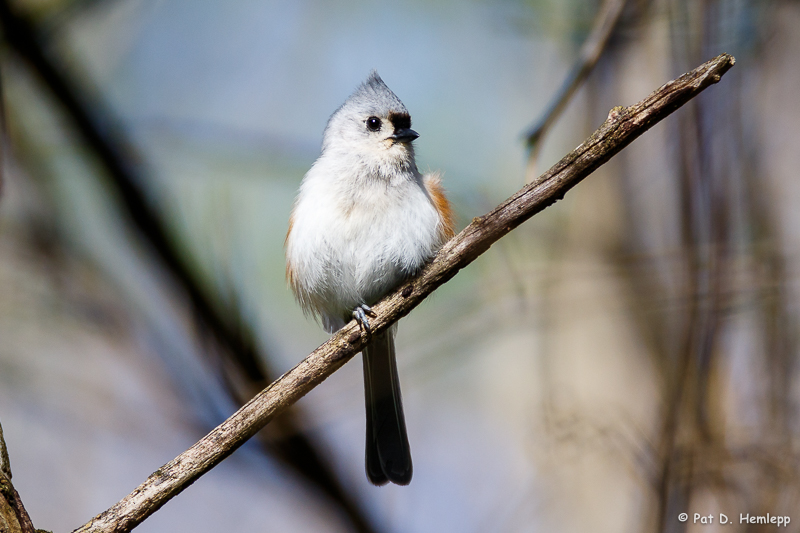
[(627, 355)]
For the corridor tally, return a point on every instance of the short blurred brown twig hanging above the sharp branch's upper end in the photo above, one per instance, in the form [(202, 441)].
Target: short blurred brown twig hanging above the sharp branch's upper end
[(604, 24)]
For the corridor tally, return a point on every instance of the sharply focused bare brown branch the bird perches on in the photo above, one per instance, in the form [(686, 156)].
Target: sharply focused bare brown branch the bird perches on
[(622, 126)]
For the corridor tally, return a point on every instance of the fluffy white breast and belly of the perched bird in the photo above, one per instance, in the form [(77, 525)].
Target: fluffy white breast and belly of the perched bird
[(354, 237)]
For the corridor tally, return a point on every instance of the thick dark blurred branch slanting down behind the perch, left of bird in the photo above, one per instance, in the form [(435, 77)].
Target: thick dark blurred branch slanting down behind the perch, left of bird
[(244, 372)]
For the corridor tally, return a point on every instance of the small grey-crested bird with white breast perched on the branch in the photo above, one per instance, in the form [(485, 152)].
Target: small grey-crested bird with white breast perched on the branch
[(365, 219)]
